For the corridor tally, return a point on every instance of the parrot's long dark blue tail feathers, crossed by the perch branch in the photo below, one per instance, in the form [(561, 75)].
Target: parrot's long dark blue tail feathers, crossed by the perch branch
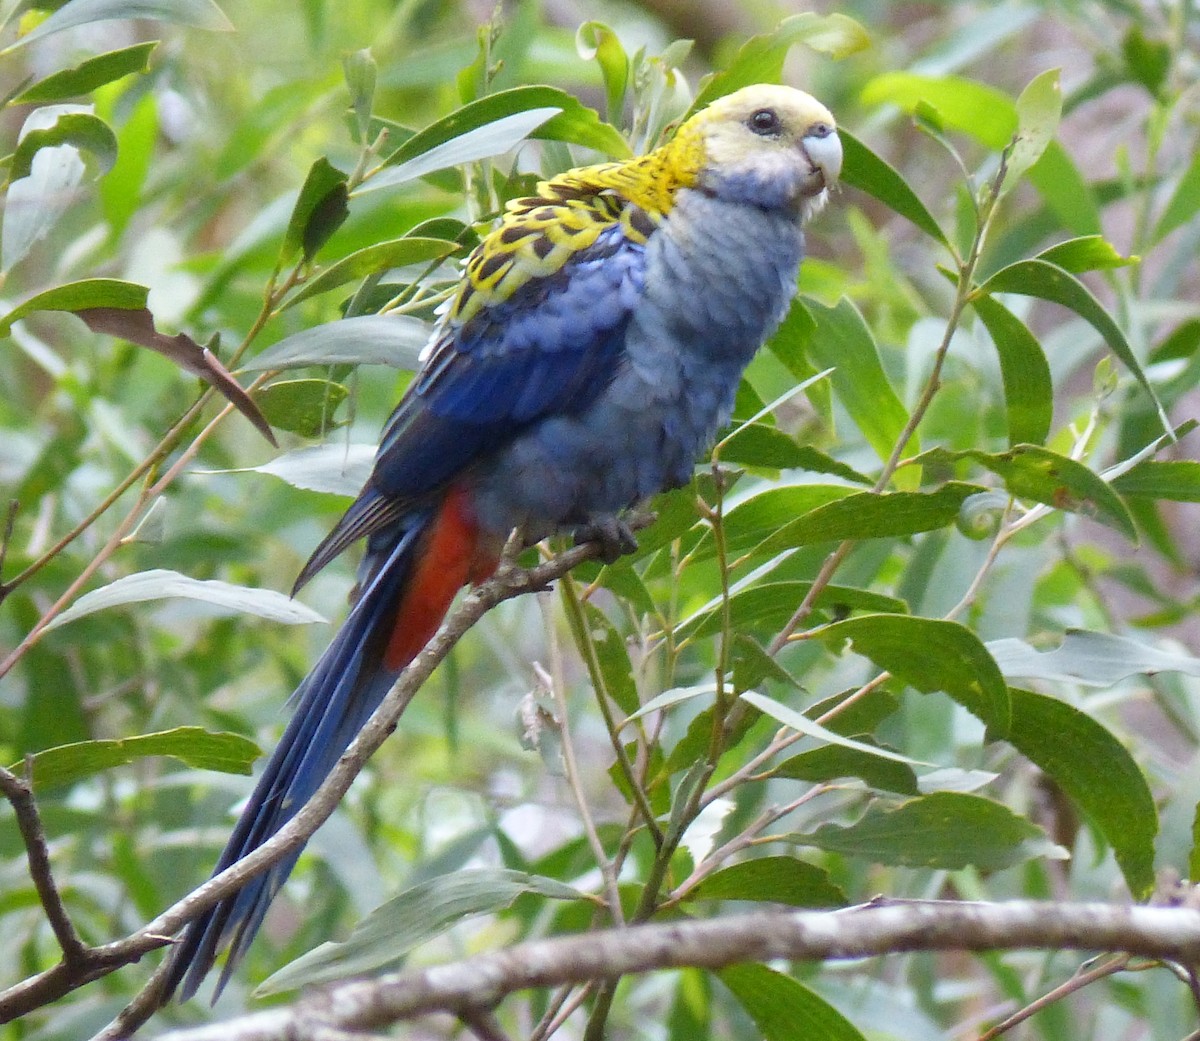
[(332, 707)]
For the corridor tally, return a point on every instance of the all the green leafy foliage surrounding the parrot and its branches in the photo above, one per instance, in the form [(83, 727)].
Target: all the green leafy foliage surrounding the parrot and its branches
[(179, 167)]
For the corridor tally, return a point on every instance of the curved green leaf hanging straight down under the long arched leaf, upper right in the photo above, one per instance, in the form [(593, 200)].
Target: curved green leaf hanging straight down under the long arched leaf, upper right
[(1029, 388)]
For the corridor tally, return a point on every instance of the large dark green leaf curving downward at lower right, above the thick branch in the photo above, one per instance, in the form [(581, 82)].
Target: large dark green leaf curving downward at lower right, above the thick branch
[(1097, 773)]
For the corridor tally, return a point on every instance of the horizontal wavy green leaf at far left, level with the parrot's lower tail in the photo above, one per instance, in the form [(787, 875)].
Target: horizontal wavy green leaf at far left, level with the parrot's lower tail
[(200, 749)]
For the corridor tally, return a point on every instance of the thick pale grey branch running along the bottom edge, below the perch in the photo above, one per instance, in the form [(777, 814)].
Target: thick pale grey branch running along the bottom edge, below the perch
[(877, 929)]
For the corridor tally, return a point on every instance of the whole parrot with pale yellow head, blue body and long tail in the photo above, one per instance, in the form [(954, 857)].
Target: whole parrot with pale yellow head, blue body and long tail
[(590, 353)]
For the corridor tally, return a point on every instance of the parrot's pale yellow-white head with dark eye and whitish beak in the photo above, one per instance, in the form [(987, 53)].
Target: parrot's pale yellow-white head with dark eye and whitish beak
[(772, 147)]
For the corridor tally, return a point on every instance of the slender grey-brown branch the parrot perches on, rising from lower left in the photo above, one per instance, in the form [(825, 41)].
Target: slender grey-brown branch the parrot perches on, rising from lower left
[(94, 962)]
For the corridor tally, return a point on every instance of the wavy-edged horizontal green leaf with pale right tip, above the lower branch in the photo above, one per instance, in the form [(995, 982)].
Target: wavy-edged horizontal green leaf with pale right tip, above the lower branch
[(946, 832)]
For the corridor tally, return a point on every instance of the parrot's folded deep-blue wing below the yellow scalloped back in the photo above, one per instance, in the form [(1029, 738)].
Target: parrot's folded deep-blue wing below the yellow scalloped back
[(549, 350)]
